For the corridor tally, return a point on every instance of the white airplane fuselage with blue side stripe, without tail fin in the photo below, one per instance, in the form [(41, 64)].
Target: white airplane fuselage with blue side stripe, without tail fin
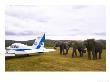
[(18, 48)]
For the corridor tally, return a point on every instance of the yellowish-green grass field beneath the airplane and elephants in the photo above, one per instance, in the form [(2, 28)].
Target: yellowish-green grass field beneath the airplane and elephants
[(53, 61)]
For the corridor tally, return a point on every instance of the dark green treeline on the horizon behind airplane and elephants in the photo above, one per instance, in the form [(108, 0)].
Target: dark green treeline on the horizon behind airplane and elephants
[(48, 43)]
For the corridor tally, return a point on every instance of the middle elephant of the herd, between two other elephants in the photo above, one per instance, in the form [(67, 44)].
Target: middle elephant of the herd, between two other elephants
[(78, 46)]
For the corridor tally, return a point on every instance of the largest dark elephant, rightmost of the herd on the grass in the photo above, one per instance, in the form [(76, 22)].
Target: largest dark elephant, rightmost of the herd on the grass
[(93, 47)]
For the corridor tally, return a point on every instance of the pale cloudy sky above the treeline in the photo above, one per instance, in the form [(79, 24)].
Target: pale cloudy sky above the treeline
[(58, 22)]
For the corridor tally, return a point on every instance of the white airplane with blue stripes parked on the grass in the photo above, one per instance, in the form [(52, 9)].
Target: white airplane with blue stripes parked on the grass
[(21, 49)]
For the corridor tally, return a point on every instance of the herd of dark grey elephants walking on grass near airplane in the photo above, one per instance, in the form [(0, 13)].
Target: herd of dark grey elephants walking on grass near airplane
[(91, 46)]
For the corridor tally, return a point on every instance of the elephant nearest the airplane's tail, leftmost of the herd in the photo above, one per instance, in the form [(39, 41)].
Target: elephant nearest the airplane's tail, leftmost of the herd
[(63, 46)]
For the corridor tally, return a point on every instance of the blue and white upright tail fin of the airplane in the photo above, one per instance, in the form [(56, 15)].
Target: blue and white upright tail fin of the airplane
[(39, 42)]
